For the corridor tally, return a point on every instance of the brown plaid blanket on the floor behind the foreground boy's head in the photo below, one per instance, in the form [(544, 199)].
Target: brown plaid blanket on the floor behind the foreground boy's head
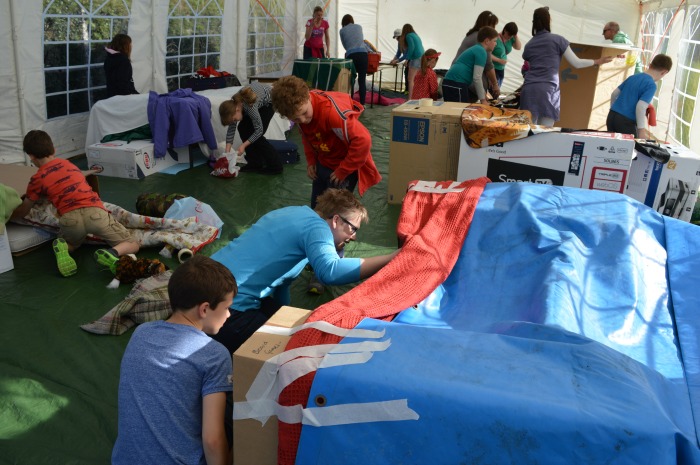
[(147, 301)]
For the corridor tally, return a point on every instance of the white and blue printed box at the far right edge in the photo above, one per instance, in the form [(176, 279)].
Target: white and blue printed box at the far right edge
[(671, 188)]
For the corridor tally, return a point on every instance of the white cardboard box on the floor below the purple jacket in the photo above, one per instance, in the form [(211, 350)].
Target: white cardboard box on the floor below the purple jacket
[(133, 160)]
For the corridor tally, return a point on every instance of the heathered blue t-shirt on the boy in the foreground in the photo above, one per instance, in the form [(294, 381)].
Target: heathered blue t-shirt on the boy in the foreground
[(166, 371)]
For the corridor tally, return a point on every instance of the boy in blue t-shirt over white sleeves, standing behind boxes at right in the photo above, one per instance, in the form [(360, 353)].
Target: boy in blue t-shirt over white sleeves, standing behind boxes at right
[(629, 102)]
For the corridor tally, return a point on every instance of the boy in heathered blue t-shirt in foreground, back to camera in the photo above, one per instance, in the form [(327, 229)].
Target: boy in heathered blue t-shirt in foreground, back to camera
[(174, 377)]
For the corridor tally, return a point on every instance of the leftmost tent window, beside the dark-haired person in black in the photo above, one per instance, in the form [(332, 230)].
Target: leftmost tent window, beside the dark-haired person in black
[(75, 35)]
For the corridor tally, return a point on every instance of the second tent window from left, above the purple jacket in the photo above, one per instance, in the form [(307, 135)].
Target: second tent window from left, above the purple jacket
[(194, 39)]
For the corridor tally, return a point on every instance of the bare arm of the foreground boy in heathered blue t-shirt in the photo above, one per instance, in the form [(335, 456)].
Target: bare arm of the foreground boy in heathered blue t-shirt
[(214, 442)]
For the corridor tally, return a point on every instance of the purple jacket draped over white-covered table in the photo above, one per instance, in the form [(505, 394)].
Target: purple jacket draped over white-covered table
[(179, 119)]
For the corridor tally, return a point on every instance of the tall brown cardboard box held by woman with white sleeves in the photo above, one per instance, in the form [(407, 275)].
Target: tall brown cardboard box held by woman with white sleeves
[(585, 92)]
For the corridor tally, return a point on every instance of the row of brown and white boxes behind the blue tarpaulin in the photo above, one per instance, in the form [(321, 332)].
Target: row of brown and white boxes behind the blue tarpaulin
[(427, 144)]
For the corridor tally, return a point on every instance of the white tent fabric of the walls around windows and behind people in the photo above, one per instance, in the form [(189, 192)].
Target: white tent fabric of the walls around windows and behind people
[(441, 24)]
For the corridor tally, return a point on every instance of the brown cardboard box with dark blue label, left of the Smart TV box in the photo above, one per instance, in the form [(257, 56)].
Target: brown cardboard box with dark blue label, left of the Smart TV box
[(424, 145)]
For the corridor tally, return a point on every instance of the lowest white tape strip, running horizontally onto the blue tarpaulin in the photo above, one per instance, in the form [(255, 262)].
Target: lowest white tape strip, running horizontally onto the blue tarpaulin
[(345, 414)]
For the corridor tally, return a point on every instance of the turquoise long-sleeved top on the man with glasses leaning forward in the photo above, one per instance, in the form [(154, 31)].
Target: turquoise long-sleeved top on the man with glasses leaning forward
[(272, 253)]
